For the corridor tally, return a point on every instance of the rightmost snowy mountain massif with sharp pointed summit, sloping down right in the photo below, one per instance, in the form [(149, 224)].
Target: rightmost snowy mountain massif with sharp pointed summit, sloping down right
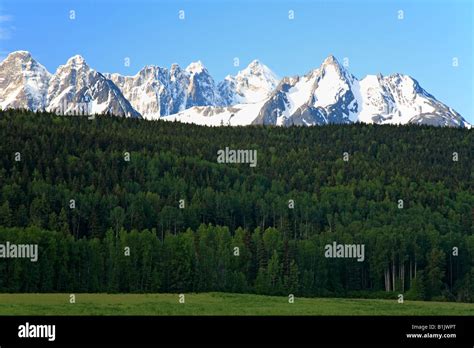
[(330, 94)]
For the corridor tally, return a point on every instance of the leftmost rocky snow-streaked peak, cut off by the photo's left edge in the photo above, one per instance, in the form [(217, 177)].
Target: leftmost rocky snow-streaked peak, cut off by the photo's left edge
[(23, 82)]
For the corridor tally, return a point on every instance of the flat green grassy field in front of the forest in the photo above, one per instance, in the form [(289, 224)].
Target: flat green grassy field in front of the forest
[(216, 304)]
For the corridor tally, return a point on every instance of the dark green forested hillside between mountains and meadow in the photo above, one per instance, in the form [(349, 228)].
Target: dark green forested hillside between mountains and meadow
[(86, 190)]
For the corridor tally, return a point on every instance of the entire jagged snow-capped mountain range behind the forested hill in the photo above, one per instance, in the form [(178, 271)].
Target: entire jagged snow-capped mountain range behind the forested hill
[(327, 94)]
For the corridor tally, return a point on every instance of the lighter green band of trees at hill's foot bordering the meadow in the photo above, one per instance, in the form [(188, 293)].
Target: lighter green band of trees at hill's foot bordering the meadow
[(213, 259)]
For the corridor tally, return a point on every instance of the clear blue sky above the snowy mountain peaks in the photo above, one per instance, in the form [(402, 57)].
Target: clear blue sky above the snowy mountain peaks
[(368, 32)]
